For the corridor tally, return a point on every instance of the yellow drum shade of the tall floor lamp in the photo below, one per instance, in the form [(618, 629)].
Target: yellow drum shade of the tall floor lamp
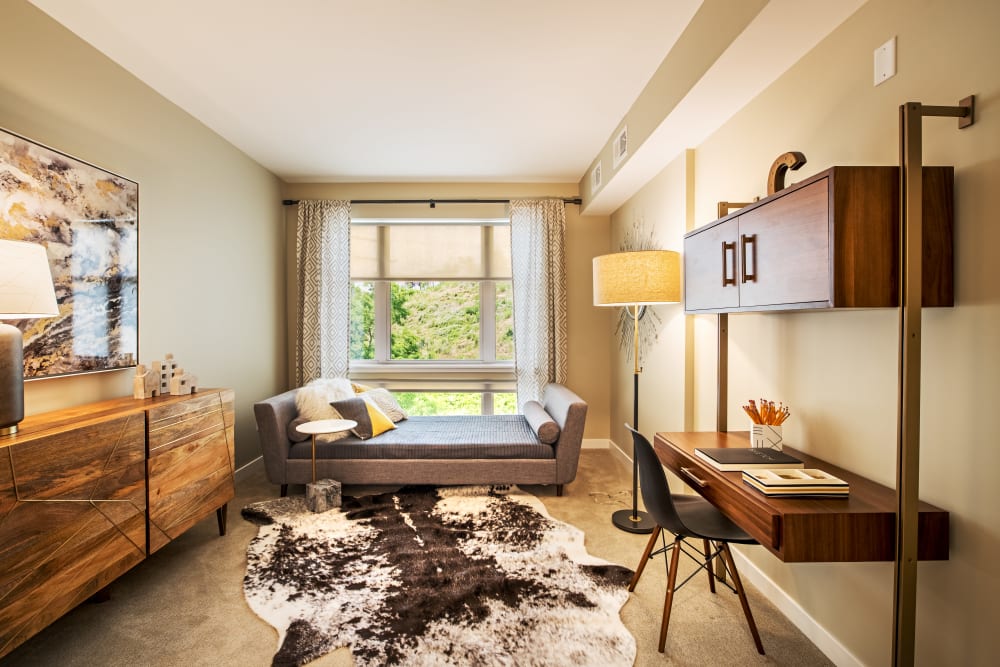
[(638, 278)]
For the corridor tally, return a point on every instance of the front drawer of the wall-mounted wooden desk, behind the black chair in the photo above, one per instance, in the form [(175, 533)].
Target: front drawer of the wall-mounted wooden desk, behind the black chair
[(757, 518)]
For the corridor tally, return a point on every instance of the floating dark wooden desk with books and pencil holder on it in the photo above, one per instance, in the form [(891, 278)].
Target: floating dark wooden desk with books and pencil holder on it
[(861, 527)]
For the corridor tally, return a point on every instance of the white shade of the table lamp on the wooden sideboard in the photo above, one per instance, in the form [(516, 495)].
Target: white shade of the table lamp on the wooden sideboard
[(25, 282)]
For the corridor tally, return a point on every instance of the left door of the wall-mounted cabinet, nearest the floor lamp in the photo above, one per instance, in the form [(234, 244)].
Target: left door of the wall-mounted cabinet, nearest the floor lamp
[(710, 268)]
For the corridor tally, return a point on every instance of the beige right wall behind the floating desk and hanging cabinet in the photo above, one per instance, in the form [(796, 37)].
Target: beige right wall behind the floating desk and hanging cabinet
[(830, 365)]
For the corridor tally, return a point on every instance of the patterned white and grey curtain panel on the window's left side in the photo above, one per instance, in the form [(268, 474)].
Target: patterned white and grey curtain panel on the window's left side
[(323, 252)]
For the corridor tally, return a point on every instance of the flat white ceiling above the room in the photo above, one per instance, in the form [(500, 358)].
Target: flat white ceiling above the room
[(391, 90)]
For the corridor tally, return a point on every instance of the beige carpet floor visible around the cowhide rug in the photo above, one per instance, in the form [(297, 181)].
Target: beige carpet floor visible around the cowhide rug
[(184, 605)]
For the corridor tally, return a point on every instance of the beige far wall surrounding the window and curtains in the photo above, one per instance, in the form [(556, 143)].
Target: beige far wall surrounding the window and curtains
[(586, 237)]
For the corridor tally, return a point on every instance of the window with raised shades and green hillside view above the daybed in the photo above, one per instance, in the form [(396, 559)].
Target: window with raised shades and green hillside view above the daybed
[(432, 311)]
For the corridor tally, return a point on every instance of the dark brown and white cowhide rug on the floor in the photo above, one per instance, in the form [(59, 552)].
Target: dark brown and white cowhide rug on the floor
[(424, 576)]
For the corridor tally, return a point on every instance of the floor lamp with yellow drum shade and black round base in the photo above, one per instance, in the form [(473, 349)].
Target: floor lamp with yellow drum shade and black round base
[(635, 280)]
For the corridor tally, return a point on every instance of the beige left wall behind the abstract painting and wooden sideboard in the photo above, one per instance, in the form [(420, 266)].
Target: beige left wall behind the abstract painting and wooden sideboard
[(211, 250)]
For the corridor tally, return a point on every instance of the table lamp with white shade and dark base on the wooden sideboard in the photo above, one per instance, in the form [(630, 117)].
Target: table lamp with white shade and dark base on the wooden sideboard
[(26, 291)]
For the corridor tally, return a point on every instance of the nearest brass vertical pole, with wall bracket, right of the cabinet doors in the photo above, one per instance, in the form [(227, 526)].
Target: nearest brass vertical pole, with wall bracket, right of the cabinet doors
[(911, 117)]
